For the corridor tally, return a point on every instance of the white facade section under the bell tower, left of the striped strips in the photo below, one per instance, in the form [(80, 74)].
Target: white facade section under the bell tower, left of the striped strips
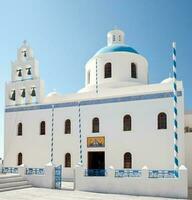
[(34, 147)]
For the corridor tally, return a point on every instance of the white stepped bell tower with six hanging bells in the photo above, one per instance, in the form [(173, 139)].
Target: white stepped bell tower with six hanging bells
[(25, 86)]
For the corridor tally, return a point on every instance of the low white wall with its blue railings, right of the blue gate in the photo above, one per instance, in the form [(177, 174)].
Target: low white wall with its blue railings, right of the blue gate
[(145, 182)]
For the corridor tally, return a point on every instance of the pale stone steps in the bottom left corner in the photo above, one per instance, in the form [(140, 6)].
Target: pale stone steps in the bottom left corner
[(13, 182)]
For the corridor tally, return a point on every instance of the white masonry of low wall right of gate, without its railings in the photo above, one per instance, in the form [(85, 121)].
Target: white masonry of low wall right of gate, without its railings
[(144, 186)]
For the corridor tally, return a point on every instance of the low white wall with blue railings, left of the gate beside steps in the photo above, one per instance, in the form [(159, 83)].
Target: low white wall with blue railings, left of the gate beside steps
[(37, 177)]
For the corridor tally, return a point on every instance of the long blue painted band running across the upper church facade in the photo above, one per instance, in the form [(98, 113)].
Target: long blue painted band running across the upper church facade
[(95, 102)]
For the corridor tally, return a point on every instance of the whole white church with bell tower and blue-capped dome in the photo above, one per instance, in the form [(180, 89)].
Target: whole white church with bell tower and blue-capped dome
[(118, 119)]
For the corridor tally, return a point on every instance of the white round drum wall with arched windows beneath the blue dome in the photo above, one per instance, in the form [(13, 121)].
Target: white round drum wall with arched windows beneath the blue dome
[(121, 71)]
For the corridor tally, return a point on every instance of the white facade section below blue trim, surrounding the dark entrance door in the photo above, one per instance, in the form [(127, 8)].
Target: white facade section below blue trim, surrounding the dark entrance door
[(148, 145)]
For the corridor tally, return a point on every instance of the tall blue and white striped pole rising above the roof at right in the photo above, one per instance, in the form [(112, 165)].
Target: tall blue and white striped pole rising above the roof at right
[(176, 161)]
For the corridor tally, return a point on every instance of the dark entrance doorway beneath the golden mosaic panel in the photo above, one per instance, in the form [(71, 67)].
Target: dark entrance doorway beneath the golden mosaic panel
[(96, 163)]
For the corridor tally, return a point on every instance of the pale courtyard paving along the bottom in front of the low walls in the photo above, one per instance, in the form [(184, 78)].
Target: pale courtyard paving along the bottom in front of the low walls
[(48, 194)]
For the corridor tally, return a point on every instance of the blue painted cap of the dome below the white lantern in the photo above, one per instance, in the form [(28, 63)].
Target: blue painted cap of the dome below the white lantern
[(116, 48)]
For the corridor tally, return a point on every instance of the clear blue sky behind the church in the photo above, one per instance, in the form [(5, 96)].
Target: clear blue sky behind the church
[(66, 33)]
